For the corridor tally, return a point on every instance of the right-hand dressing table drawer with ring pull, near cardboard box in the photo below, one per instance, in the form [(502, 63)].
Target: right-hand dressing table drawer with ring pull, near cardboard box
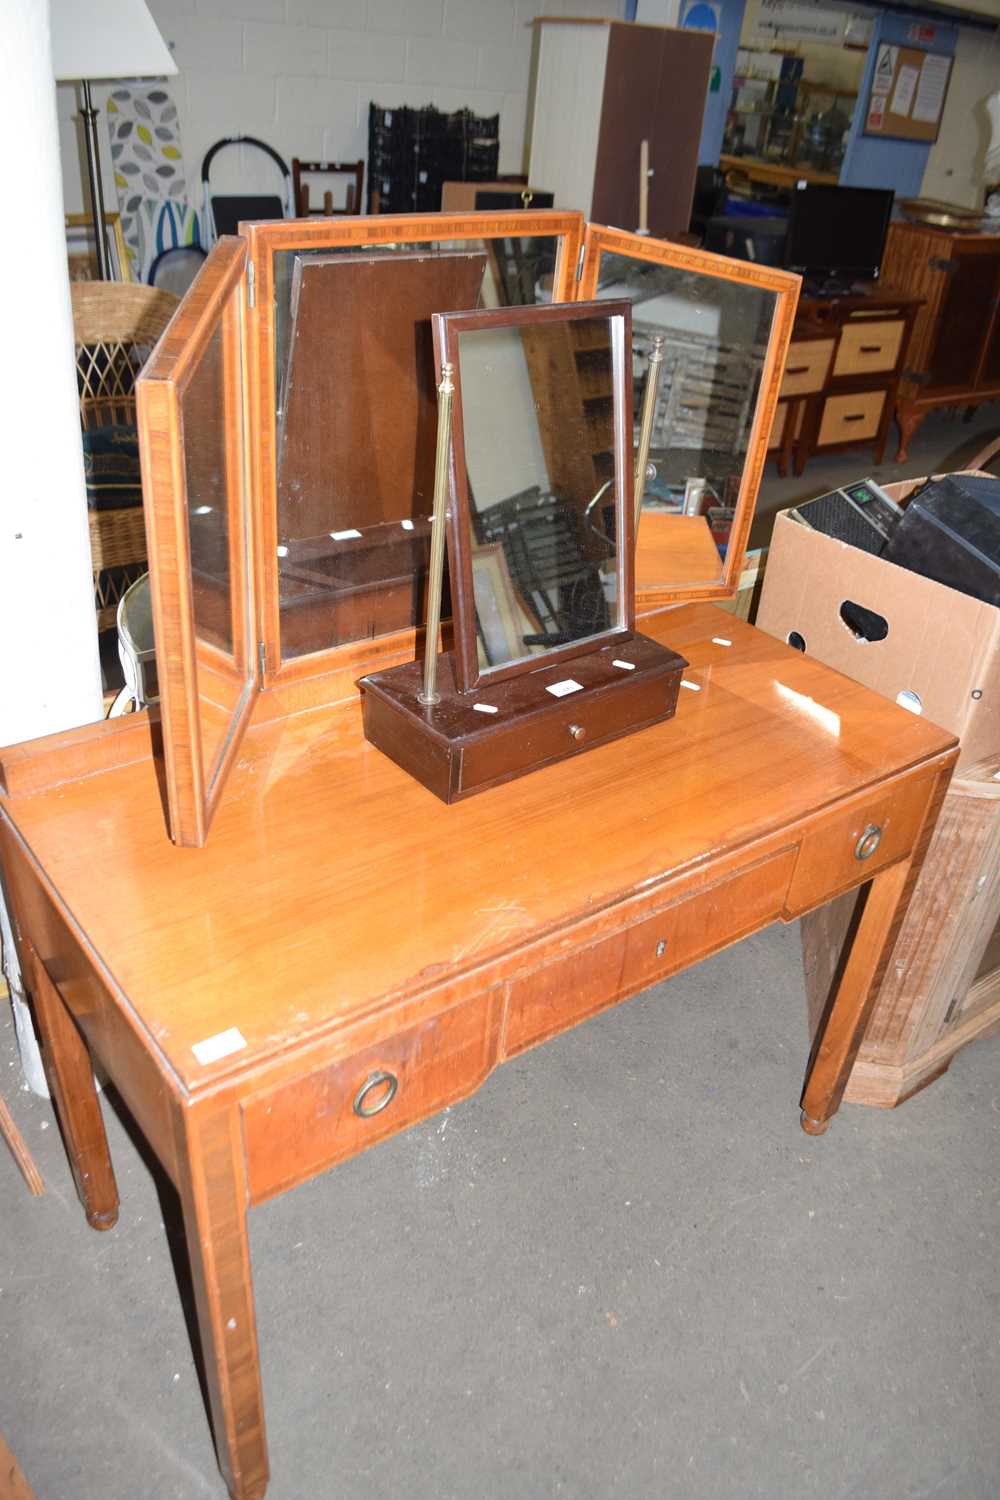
[(852, 845)]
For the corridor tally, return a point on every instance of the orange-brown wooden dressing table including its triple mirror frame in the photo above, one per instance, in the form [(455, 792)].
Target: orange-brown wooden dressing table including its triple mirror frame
[(347, 955)]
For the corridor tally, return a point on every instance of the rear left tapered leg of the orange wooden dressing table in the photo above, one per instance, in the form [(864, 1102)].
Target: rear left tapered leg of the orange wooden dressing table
[(71, 1081)]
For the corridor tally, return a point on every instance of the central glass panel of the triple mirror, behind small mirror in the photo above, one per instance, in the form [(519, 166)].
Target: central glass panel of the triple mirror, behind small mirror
[(356, 422)]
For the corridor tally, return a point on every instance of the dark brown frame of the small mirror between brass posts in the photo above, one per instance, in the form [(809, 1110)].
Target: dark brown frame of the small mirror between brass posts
[(448, 329)]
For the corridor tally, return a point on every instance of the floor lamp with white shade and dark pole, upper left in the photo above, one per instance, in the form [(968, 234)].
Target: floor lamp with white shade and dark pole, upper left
[(104, 40)]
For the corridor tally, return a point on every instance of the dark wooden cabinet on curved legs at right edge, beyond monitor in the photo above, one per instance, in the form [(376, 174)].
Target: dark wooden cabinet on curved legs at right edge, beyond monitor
[(954, 356)]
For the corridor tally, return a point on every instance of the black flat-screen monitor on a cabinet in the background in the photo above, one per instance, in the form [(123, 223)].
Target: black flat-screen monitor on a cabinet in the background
[(837, 235)]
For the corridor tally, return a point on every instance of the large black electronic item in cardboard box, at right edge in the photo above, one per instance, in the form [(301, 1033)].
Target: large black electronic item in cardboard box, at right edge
[(951, 533)]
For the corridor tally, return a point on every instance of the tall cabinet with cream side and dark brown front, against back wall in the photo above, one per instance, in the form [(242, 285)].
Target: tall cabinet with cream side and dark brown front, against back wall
[(602, 89)]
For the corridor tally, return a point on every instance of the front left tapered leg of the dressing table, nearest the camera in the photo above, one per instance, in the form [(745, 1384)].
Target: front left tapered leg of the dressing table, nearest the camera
[(214, 1193)]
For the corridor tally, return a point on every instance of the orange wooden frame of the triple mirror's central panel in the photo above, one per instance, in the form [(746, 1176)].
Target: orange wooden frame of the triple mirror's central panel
[(265, 242)]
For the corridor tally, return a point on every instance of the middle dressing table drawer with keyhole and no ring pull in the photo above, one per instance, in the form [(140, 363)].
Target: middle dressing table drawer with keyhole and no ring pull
[(561, 994)]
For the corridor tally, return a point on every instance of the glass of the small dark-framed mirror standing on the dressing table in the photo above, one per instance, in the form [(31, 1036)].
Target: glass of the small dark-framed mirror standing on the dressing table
[(537, 484)]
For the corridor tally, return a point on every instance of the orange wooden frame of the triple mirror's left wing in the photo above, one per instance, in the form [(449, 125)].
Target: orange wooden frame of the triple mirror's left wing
[(215, 302)]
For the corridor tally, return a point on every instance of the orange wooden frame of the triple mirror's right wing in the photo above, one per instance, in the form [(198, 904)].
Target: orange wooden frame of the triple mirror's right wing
[(602, 241)]
